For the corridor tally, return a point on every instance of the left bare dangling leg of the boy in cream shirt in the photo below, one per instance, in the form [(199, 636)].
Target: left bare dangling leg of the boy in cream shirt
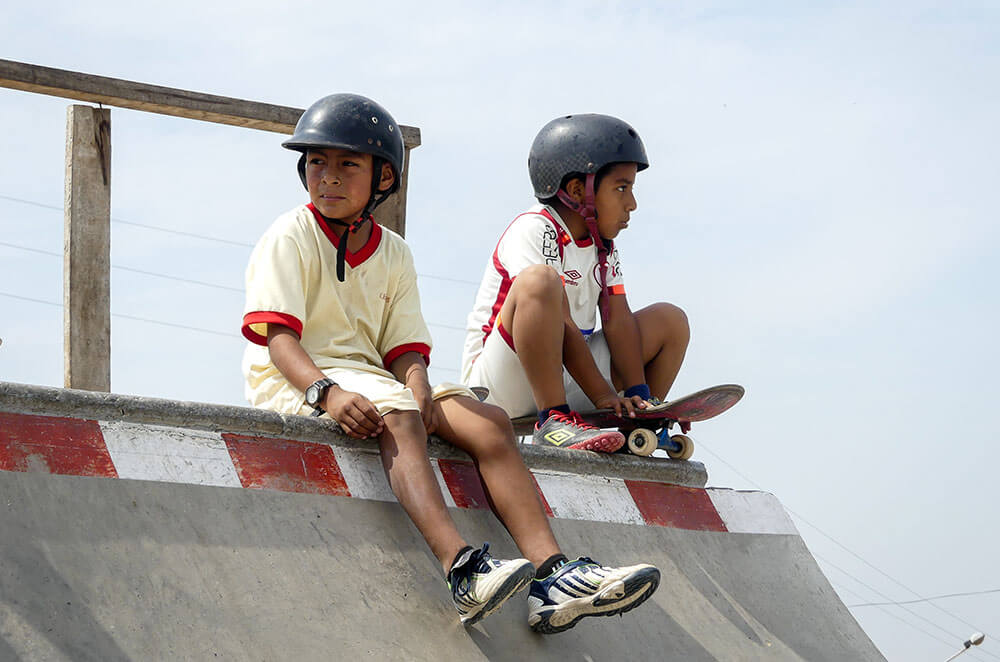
[(403, 445)]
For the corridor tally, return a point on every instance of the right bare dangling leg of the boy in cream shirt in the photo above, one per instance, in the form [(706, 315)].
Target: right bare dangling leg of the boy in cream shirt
[(485, 433)]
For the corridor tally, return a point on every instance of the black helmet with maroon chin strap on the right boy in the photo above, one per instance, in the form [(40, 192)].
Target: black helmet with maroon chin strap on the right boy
[(583, 144)]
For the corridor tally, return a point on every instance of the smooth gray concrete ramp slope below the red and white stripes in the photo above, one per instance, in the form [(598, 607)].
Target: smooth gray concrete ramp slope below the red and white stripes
[(104, 569)]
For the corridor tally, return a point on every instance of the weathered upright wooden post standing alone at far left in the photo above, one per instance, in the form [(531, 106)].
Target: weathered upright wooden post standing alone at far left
[(87, 250)]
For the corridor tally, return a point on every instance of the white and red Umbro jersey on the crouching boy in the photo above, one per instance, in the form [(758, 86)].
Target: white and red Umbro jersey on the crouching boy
[(539, 236)]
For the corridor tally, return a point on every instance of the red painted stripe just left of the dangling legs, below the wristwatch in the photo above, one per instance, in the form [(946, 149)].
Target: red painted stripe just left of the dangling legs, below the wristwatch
[(288, 466)]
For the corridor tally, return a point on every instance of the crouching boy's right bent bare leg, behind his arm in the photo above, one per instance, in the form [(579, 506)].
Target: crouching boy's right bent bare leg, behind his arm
[(664, 335)]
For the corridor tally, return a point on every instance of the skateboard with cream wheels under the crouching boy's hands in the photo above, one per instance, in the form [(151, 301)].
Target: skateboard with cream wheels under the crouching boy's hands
[(650, 429)]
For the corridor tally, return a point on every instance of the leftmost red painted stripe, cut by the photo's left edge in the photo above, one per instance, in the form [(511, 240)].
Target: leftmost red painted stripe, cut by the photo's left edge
[(54, 445)]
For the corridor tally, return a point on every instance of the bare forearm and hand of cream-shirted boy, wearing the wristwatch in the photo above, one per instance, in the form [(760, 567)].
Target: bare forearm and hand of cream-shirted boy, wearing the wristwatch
[(354, 412)]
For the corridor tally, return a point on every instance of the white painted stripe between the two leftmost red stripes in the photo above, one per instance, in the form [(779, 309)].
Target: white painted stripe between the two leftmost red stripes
[(174, 455)]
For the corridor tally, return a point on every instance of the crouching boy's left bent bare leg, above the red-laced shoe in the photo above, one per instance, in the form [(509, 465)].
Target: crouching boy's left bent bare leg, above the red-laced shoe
[(533, 314)]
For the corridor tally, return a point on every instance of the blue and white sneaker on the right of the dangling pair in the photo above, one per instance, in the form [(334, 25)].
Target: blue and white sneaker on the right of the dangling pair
[(583, 588)]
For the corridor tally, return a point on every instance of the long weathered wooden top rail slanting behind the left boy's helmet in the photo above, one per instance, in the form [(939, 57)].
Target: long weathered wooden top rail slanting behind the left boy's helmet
[(157, 99)]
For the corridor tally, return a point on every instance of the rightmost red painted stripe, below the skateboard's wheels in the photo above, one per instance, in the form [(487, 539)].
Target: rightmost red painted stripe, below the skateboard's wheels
[(675, 506)]
